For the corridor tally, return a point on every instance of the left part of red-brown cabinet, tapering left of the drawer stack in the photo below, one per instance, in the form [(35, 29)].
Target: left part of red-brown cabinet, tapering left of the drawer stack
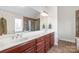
[(21, 48)]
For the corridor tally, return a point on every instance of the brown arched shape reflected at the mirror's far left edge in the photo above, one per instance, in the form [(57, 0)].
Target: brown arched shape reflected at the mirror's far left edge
[(3, 26)]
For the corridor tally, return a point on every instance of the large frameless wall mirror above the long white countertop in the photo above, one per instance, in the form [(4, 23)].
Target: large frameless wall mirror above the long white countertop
[(17, 21)]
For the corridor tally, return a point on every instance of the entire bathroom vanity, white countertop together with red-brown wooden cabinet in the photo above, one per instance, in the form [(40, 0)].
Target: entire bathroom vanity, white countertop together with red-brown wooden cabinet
[(32, 43)]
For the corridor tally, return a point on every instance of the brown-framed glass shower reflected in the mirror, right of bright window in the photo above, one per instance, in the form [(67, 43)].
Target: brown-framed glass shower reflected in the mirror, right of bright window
[(30, 24)]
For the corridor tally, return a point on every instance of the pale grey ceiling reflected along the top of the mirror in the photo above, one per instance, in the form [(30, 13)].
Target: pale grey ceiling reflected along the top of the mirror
[(24, 11)]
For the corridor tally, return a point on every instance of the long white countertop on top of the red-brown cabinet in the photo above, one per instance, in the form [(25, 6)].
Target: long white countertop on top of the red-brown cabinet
[(8, 42)]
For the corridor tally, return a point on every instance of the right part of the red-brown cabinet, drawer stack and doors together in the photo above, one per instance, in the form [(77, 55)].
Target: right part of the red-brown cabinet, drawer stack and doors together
[(44, 43)]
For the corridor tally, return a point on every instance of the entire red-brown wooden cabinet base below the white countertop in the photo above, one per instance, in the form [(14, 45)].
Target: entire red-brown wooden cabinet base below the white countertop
[(38, 45)]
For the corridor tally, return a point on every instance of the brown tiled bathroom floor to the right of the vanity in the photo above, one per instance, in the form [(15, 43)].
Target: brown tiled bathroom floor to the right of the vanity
[(63, 47)]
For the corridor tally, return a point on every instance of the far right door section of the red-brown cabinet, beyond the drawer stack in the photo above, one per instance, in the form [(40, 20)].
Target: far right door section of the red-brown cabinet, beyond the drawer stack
[(49, 41)]
